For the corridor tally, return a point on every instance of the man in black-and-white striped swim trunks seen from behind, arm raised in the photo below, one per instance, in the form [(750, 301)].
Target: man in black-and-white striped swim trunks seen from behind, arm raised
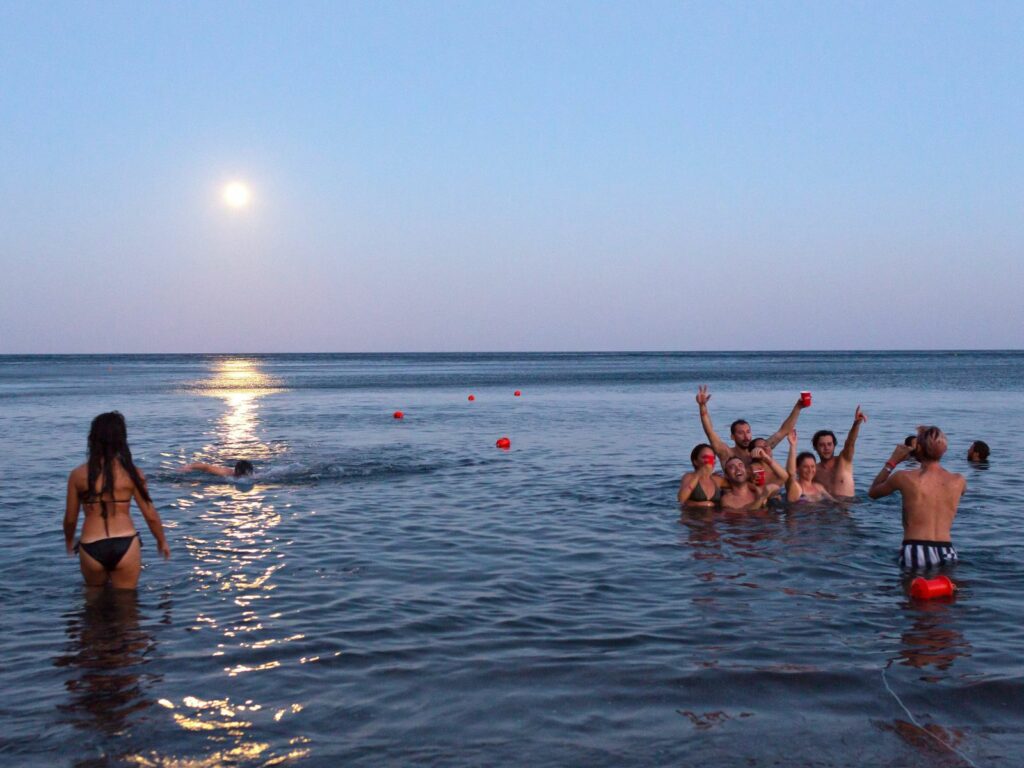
[(930, 496)]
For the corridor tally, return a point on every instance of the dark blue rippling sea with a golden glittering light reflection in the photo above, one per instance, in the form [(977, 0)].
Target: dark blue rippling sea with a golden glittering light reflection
[(404, 593)]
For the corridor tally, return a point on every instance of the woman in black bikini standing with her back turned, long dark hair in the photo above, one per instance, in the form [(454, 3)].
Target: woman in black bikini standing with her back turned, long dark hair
[(104, 487)]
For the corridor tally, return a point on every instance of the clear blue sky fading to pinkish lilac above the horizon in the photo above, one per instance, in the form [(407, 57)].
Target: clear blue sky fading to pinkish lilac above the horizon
[(529, 177)]
